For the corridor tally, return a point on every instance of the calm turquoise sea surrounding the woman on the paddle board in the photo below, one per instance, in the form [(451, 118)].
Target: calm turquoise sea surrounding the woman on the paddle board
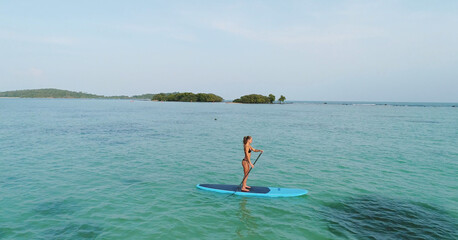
[(119, 169)]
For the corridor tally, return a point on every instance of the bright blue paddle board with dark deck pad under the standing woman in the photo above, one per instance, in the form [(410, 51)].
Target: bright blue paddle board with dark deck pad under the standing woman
[(254, 191)]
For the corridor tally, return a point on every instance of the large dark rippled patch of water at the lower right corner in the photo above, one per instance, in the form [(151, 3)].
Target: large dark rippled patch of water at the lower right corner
[(376, 217)]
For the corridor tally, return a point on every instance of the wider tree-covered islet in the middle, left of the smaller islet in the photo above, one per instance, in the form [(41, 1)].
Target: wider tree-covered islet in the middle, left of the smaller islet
[(187, 97)]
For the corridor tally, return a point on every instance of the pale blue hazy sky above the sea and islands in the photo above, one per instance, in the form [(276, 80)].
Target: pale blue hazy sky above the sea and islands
[(305, 50)]
